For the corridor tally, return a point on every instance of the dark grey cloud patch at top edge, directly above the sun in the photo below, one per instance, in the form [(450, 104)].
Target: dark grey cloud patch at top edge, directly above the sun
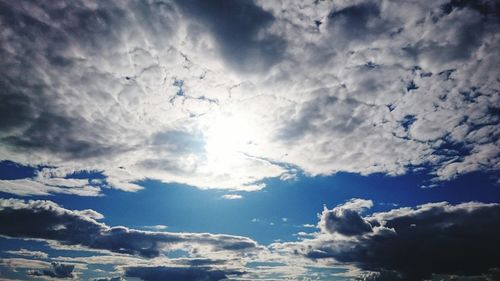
[(237, 27)]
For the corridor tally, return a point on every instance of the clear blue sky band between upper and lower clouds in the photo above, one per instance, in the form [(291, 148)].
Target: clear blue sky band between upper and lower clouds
[(184, 208)]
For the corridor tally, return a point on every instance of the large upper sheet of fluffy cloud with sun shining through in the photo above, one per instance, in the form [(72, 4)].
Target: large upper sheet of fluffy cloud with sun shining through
[(223, 95)]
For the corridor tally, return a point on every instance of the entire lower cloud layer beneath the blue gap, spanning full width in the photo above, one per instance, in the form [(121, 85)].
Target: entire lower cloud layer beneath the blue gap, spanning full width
[(431, 240)]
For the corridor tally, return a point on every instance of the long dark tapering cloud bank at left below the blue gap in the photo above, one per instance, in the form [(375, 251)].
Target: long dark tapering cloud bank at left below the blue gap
[(51, 222)]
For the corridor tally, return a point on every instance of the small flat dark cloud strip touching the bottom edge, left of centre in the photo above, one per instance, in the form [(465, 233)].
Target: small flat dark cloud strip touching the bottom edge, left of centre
[(179, 273)]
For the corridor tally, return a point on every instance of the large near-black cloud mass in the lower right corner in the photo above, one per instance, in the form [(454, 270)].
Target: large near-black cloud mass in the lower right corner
[(436, 238)]
